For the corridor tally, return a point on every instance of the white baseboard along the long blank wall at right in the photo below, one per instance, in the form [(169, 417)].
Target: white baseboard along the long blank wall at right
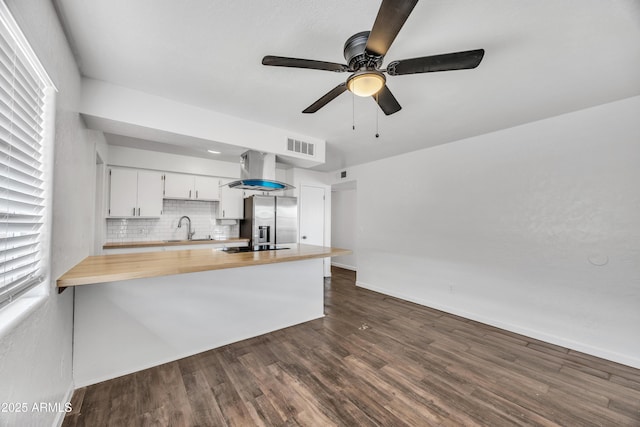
[(623, 359)]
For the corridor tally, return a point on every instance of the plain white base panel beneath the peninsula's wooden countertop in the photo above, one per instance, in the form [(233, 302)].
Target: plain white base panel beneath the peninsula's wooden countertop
[(126, 326)]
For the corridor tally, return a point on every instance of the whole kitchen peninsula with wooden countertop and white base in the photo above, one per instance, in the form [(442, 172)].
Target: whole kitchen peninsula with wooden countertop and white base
[(134, 311)]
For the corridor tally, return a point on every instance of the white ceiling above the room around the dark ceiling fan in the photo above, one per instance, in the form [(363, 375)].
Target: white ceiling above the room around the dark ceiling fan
[(543, 58)]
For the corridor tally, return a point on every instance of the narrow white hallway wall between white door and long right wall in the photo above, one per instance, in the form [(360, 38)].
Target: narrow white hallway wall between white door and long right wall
[(344, 226)]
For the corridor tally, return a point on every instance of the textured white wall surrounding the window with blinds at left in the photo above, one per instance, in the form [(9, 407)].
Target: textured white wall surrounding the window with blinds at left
[(35, 353)]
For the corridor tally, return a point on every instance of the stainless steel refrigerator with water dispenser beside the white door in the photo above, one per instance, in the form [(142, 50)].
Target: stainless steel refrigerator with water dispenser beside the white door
[(270, 221)]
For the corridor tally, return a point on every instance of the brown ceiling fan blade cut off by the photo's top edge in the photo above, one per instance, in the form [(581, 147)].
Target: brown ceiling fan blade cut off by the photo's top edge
[(391, 17)]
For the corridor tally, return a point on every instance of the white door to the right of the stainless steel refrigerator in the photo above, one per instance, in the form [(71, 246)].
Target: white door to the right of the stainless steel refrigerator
[(311, 215)]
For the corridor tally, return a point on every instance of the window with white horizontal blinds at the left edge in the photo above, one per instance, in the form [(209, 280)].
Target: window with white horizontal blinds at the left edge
[(25, 94)]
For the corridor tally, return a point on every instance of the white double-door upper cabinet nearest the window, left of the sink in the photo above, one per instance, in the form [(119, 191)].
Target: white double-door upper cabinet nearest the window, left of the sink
[(135, 193)]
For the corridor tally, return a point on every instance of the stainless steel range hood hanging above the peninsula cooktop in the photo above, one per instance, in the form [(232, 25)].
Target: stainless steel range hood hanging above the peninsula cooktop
[(258, 172)]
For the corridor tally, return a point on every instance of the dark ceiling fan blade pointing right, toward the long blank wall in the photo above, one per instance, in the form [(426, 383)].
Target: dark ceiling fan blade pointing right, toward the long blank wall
[(445, 62)]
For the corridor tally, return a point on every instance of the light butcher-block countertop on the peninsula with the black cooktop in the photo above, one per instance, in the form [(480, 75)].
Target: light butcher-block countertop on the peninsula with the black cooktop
[(110, 268)]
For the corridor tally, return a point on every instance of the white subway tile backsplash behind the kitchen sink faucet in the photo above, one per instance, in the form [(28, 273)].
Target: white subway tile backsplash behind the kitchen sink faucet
[(203, 222)]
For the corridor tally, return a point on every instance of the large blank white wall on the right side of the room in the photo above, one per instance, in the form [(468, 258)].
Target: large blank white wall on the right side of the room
[(535, 229)]
